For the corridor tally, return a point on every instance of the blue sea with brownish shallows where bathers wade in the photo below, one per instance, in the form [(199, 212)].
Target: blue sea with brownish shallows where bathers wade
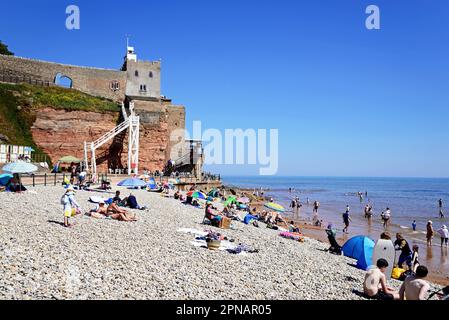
[(409, 199)]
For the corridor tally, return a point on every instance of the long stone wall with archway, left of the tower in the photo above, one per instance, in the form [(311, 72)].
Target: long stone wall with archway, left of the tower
[(93, 81)]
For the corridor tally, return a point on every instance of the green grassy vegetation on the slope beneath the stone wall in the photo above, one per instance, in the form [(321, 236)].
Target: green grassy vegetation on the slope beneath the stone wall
[(20, 102)]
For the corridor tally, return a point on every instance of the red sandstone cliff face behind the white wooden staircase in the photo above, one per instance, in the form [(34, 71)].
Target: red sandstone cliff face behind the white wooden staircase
[(60, 133)]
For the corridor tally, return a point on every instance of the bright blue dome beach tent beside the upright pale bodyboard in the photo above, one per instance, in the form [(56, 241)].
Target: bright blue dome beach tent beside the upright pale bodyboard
[(361, 249)]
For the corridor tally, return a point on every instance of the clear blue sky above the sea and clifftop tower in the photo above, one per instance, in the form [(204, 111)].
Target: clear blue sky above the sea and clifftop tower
[(347, 101)]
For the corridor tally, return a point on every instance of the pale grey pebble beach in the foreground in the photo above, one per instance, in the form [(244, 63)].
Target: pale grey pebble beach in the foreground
[(151, 259)]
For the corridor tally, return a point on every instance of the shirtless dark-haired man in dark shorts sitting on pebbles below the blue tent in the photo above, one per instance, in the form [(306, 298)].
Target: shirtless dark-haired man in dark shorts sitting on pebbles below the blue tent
[(375, 284)]
